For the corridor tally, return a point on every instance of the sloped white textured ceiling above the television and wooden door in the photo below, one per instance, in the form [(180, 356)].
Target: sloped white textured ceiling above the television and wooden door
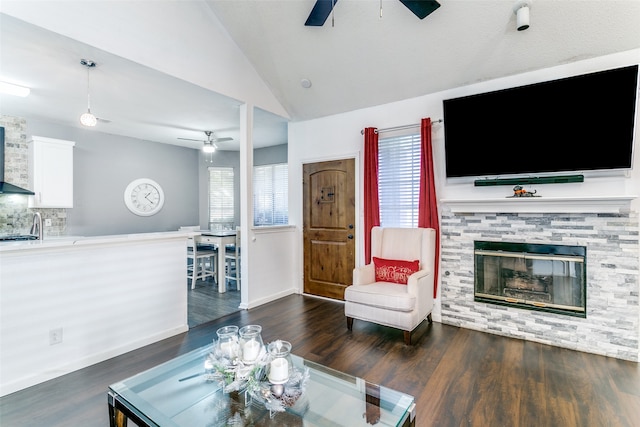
[(364, 60)]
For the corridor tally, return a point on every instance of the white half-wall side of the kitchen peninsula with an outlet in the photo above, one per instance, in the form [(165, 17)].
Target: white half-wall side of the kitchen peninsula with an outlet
[(103, 296)]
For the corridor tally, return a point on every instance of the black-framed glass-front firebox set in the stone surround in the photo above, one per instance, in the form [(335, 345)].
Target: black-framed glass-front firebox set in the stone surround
[(540, 277)]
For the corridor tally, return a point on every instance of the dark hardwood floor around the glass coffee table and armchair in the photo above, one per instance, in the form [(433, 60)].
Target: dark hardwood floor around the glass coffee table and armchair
[(459, 377)]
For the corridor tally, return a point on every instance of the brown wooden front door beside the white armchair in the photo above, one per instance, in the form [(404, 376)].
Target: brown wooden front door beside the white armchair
[(329, 227)]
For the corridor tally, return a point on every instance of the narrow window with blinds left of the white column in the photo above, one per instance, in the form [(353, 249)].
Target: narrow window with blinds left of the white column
[(221, 213)]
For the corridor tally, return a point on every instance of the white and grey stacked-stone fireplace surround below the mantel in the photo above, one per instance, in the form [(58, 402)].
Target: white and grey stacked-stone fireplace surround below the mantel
[(611, 327)]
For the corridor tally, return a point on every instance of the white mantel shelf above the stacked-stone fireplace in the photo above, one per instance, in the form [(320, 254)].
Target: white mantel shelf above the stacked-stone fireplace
[(583, 204)]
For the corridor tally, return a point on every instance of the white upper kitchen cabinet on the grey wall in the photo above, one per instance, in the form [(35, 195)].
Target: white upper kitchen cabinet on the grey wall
[(51, 172)]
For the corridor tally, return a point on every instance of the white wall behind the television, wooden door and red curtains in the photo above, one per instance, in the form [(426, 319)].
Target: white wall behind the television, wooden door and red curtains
[(339, 136)]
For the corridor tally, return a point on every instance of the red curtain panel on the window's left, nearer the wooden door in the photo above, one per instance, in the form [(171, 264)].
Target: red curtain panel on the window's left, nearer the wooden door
[(371, 204)]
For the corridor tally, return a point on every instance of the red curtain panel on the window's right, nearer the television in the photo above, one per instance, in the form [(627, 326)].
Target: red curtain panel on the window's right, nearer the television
[(428, 202)]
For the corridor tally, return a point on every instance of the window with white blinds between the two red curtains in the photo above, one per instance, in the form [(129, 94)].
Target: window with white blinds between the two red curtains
[(399, 180)]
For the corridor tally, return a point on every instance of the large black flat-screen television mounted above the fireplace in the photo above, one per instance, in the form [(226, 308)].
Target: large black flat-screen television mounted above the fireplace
[(579, 123)]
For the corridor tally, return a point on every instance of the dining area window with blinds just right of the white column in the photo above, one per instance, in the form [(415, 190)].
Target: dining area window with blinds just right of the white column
[(270, 195)]
